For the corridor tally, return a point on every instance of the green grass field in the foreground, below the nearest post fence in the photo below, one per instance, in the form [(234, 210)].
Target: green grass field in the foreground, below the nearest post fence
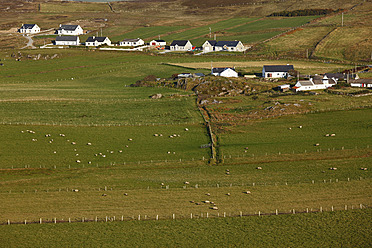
[(341, 228)]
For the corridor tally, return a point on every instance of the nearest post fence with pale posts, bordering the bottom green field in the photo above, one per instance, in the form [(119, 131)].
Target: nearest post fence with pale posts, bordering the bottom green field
[(202, 215)]
